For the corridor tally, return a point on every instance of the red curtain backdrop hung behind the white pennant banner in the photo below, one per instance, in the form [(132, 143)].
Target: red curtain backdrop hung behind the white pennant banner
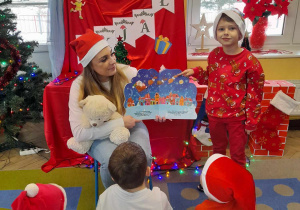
[(101, 12)]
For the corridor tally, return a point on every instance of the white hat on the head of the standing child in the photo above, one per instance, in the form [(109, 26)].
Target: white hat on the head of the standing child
[(236, 16)]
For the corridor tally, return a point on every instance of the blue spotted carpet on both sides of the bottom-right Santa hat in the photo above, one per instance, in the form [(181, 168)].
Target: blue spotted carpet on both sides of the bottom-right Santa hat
[(270, 194)]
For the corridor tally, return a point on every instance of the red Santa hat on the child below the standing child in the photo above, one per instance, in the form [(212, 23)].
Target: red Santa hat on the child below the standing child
[(227, 183)]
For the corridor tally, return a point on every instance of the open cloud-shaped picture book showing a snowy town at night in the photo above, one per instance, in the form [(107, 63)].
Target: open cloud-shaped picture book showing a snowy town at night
[(162, 93)]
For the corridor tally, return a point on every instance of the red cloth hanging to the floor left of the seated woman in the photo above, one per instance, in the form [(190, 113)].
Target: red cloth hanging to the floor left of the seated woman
[(57, 127)]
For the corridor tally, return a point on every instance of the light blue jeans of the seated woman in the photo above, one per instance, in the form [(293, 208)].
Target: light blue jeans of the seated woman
[(101, 150)]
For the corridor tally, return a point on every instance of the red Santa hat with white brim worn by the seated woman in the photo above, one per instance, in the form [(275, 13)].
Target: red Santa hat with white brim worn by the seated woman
[(87, 46)]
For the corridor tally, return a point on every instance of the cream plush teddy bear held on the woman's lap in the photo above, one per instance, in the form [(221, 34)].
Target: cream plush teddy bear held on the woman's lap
[(97, 110)]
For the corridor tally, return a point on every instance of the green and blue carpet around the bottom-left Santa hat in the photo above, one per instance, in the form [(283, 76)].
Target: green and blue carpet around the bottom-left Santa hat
[(77, 182)]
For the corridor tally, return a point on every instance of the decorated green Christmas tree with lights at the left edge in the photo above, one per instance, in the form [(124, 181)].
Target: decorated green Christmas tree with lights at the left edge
[(21, 83)]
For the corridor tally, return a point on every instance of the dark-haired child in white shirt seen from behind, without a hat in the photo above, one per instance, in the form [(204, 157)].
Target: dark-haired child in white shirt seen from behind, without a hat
[(128, 168)]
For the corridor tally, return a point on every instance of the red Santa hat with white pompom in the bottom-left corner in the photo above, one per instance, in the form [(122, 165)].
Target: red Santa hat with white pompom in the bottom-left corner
[(41, 196)]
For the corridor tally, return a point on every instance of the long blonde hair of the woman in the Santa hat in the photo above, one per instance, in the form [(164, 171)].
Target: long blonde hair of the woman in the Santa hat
[(91, 85)]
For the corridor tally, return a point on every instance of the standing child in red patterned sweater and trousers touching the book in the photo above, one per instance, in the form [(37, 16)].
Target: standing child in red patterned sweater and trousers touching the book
[(235, 82)]
